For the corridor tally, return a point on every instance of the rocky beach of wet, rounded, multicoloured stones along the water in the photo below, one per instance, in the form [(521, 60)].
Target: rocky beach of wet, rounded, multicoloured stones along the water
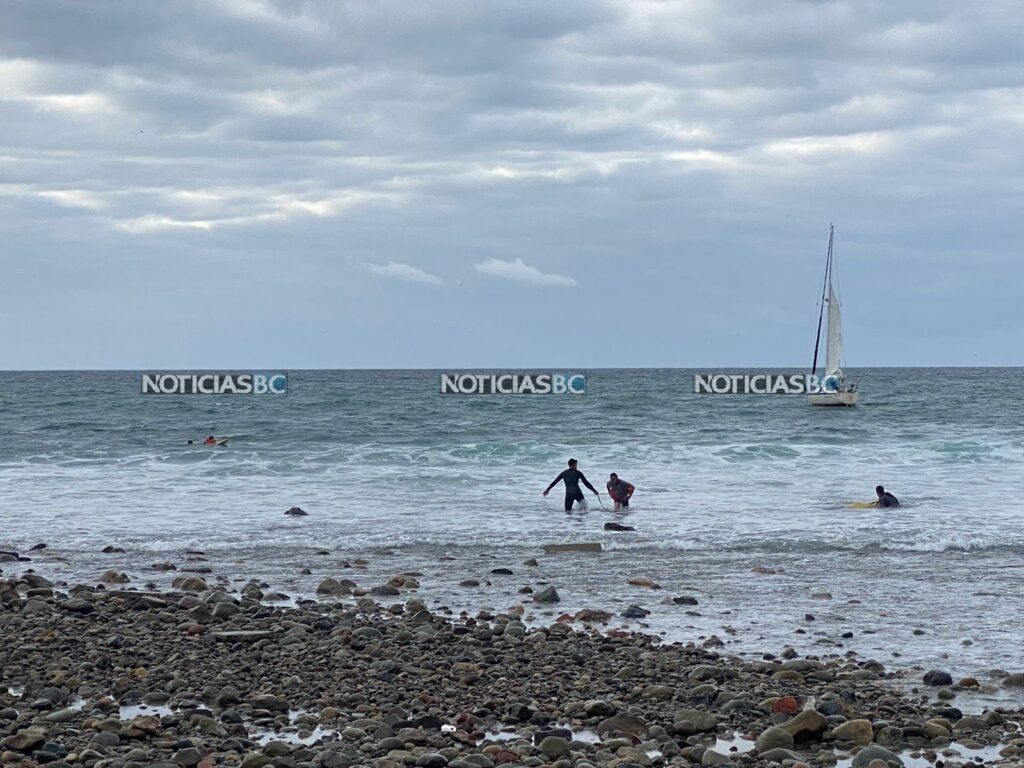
[(116, 674)]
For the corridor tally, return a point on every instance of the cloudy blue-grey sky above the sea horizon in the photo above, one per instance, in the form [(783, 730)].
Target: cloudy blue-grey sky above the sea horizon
[(282, 185)]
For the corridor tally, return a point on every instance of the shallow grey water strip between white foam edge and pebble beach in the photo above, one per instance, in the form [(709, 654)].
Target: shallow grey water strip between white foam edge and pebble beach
[(751, 603)]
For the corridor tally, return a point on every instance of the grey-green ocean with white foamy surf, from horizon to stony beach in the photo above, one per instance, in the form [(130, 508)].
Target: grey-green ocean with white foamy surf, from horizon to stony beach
[(741, 501)]
